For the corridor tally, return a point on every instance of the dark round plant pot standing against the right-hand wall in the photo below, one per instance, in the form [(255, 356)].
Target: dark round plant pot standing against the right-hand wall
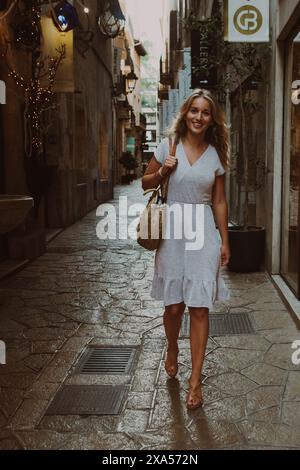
[(247, 248)]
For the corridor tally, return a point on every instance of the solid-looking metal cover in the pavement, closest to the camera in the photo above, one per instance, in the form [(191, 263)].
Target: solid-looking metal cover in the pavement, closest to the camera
[(88, 400)]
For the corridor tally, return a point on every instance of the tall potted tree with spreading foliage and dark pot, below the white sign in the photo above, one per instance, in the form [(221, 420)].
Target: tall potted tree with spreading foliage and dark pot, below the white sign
[(237, 70)]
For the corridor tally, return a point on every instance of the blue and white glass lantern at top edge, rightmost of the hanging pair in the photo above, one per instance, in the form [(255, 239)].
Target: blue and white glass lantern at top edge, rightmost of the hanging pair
[(112, 20)]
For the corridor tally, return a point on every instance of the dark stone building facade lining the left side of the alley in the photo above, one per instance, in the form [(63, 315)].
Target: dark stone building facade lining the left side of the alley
[(84, 129)]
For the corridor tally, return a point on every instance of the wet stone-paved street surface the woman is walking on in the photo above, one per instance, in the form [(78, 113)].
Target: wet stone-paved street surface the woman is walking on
[(86, 291)]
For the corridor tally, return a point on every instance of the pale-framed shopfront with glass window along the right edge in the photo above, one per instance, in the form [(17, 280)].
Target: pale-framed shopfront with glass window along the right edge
[(282, 189)]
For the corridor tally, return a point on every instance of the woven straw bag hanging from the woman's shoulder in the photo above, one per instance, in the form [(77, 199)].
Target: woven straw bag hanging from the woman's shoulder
[(152, 223)]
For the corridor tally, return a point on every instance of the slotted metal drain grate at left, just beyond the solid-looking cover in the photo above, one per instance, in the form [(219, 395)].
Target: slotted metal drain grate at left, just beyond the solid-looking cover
[(100, 360)]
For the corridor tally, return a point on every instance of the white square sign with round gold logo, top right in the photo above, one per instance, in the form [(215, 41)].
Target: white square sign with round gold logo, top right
[(247, 21)]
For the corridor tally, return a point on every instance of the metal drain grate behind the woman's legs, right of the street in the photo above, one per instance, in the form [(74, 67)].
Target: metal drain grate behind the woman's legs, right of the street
[(223, 324)]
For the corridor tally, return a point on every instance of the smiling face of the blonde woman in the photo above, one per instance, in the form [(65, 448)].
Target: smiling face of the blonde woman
[(199, 117)]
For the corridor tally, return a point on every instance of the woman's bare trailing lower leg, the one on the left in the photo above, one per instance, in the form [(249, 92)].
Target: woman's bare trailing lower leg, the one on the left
[(172, 323)]
